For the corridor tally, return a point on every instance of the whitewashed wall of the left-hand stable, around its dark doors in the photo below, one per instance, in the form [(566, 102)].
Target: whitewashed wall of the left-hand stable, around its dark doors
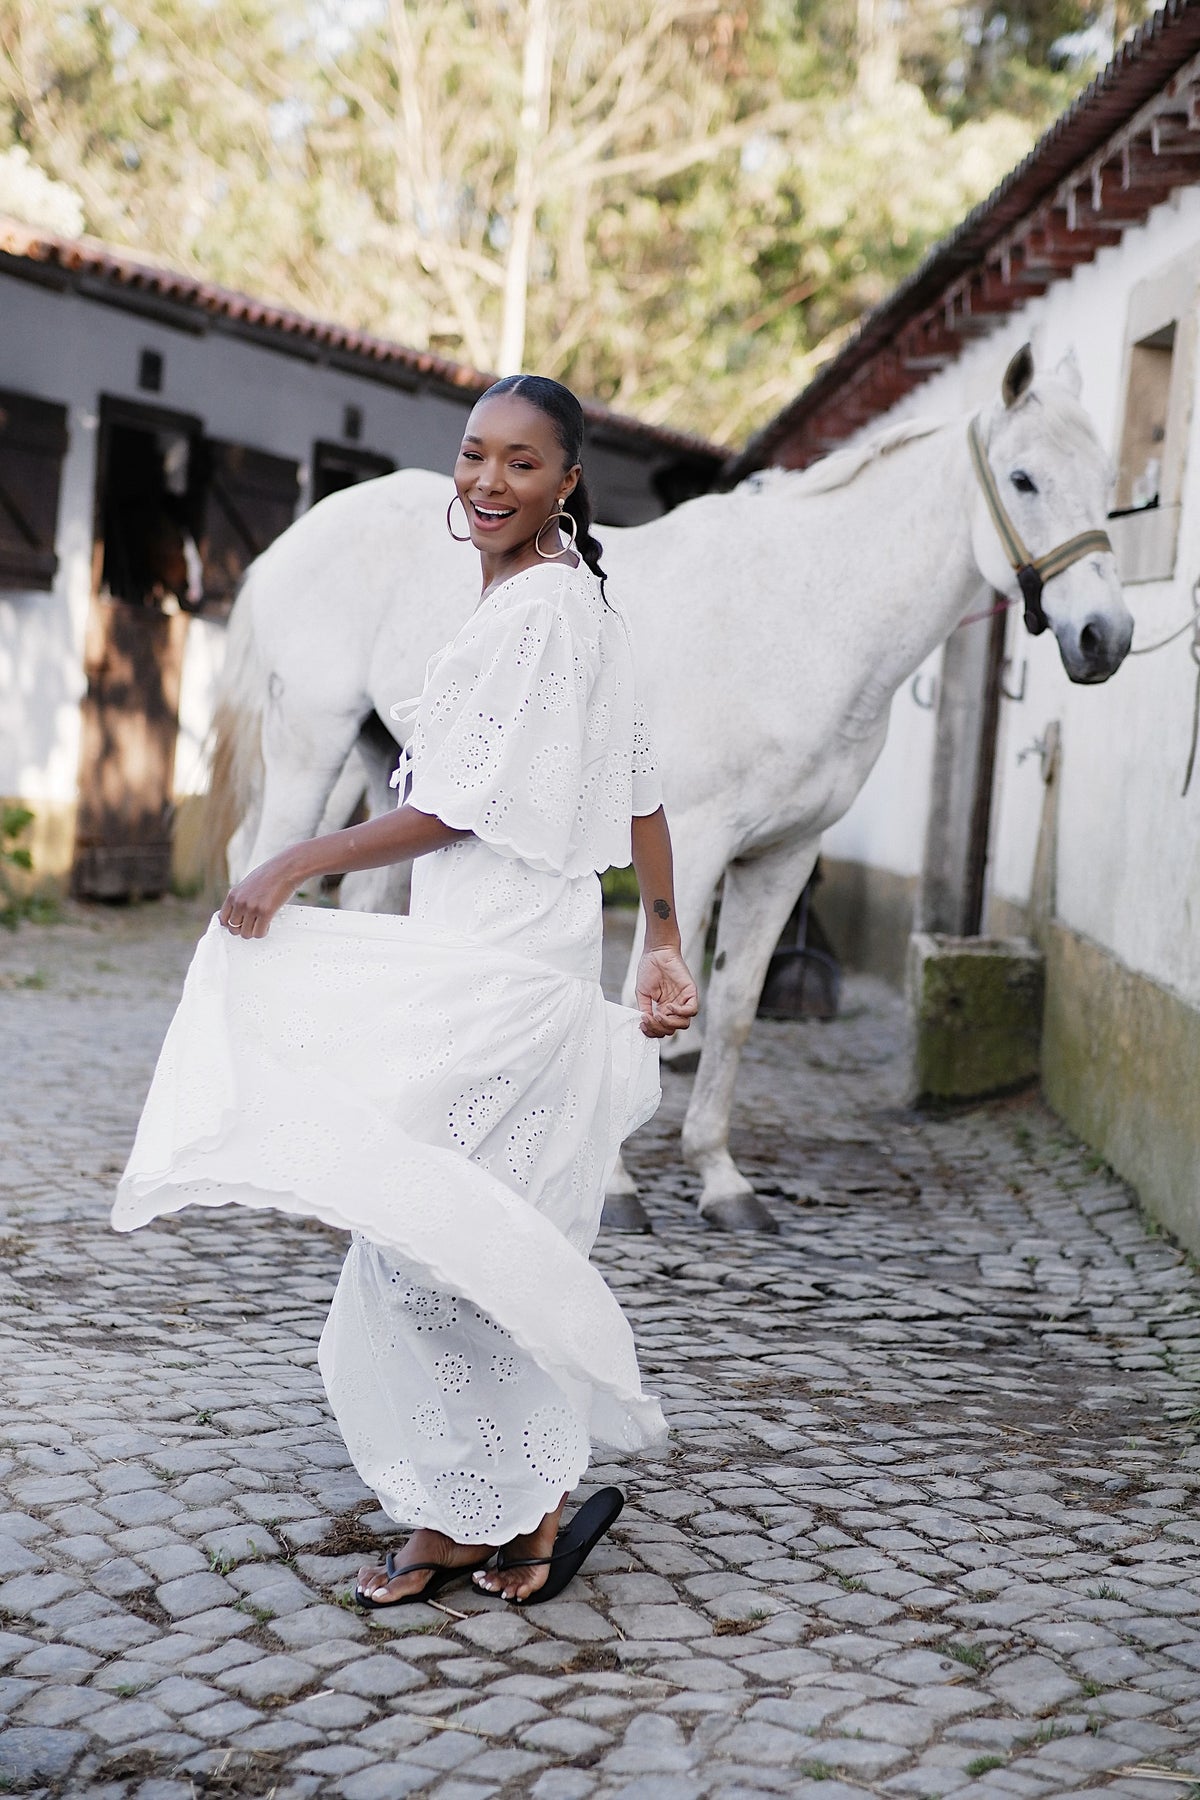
[(69, 350)]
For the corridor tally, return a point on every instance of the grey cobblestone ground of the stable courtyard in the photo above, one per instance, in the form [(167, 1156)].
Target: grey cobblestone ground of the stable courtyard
[(927, 1524)]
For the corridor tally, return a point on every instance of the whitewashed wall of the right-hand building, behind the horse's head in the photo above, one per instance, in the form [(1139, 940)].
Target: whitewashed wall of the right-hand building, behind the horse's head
[(1129, 854)]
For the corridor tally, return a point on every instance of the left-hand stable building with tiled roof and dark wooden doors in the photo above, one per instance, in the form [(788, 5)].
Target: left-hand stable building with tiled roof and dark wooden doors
[(157, 435)]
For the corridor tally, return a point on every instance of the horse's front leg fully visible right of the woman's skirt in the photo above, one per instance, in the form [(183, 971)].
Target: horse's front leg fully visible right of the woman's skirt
[(755, 908)]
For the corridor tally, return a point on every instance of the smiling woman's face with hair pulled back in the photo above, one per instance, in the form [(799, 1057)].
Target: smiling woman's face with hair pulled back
[(510, 474)]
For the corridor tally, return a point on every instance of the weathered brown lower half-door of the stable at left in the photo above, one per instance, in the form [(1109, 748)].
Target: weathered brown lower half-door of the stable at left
[(130, 721)]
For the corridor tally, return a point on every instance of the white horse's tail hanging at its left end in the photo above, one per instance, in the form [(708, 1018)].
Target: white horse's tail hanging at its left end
[(237, 780)]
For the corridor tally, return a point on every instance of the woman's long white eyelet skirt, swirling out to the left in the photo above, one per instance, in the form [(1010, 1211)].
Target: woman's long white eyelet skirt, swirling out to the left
[(454, 1095)]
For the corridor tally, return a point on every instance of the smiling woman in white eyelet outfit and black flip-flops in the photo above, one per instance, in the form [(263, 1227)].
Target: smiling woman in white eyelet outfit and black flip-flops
[(452, 1088)]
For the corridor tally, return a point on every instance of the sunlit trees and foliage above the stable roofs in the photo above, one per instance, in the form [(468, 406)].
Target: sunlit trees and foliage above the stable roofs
[(685, 213)]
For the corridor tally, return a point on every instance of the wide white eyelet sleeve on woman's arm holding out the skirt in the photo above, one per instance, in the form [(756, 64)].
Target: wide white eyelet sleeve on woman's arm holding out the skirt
[(499, 735)]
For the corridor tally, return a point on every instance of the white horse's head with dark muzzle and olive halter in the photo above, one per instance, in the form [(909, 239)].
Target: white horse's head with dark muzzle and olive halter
[(1050, 487)]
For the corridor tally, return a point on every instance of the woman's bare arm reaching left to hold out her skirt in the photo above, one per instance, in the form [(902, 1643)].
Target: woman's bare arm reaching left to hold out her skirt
[(395, 838)]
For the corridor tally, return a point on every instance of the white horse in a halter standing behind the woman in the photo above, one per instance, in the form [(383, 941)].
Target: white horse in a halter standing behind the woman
[(775, 625)]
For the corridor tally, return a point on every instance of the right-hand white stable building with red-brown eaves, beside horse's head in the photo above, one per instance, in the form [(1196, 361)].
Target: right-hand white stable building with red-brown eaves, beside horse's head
[(1007, 800)]
